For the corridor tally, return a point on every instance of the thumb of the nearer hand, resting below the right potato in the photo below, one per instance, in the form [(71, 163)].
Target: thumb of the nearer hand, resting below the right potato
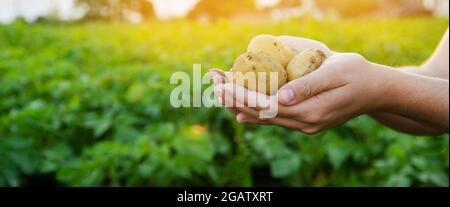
[(305, 87)]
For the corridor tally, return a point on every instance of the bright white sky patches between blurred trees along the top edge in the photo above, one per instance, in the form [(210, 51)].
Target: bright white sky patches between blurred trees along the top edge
[(32, 9)]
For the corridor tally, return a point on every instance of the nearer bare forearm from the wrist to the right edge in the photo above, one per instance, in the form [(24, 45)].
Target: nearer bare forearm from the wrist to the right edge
[(422, 98)]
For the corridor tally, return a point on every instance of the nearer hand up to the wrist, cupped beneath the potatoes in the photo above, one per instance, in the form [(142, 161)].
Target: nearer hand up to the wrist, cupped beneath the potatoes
[(345, 86)]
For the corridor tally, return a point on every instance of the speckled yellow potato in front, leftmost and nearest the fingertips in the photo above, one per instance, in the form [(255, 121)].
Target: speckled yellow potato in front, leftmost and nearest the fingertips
[(247, 66)]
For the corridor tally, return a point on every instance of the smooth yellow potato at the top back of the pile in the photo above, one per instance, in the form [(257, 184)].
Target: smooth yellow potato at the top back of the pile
[(273, 47)]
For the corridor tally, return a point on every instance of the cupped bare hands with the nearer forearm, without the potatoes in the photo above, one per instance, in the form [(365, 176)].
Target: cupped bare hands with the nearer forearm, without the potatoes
[(345, 86)]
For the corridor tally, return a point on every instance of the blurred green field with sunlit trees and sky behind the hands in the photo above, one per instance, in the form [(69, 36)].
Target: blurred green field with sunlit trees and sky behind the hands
[(84, 94)]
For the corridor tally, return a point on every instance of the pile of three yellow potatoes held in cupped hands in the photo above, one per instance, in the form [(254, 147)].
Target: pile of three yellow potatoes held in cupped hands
[(266, 53)]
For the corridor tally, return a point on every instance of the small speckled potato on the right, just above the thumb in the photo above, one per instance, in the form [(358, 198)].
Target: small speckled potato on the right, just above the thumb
[(304, 63)]
